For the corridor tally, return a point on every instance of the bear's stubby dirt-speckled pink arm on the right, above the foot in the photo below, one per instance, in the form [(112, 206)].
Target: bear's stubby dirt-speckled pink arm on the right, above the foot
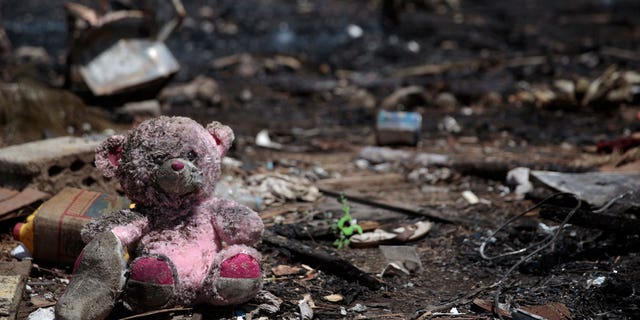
[(236, 224)]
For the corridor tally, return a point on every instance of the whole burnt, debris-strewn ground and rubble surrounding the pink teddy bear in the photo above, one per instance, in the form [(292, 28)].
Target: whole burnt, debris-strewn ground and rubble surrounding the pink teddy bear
[(428, 159)]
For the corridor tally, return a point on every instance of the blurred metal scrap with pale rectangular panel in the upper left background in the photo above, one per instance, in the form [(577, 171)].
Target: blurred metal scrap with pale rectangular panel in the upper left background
[(119, 51)]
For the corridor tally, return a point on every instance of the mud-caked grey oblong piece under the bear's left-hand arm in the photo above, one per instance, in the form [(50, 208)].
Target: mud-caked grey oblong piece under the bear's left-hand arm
[(97, 281)]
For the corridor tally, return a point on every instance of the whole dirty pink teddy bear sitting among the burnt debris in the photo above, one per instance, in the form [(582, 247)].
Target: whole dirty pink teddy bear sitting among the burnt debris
[(179, 245)]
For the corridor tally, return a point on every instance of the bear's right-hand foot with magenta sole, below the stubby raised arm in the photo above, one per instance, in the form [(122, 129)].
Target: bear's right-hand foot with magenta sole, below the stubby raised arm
[(235, 276)]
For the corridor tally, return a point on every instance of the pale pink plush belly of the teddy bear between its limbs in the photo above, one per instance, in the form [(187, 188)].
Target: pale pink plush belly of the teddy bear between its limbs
[(191, 255)]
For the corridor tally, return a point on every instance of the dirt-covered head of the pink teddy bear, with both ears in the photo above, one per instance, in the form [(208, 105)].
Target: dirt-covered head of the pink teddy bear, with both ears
[(166, 162)]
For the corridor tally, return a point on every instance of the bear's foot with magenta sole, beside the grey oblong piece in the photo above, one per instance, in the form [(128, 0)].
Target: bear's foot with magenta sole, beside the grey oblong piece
[(151, 283)]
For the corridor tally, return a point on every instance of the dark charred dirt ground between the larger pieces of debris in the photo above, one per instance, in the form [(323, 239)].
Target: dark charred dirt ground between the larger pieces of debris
[(315, 74)]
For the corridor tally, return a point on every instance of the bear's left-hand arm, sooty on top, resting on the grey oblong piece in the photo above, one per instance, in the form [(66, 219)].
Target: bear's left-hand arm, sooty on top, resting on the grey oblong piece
[(126, 224)]
